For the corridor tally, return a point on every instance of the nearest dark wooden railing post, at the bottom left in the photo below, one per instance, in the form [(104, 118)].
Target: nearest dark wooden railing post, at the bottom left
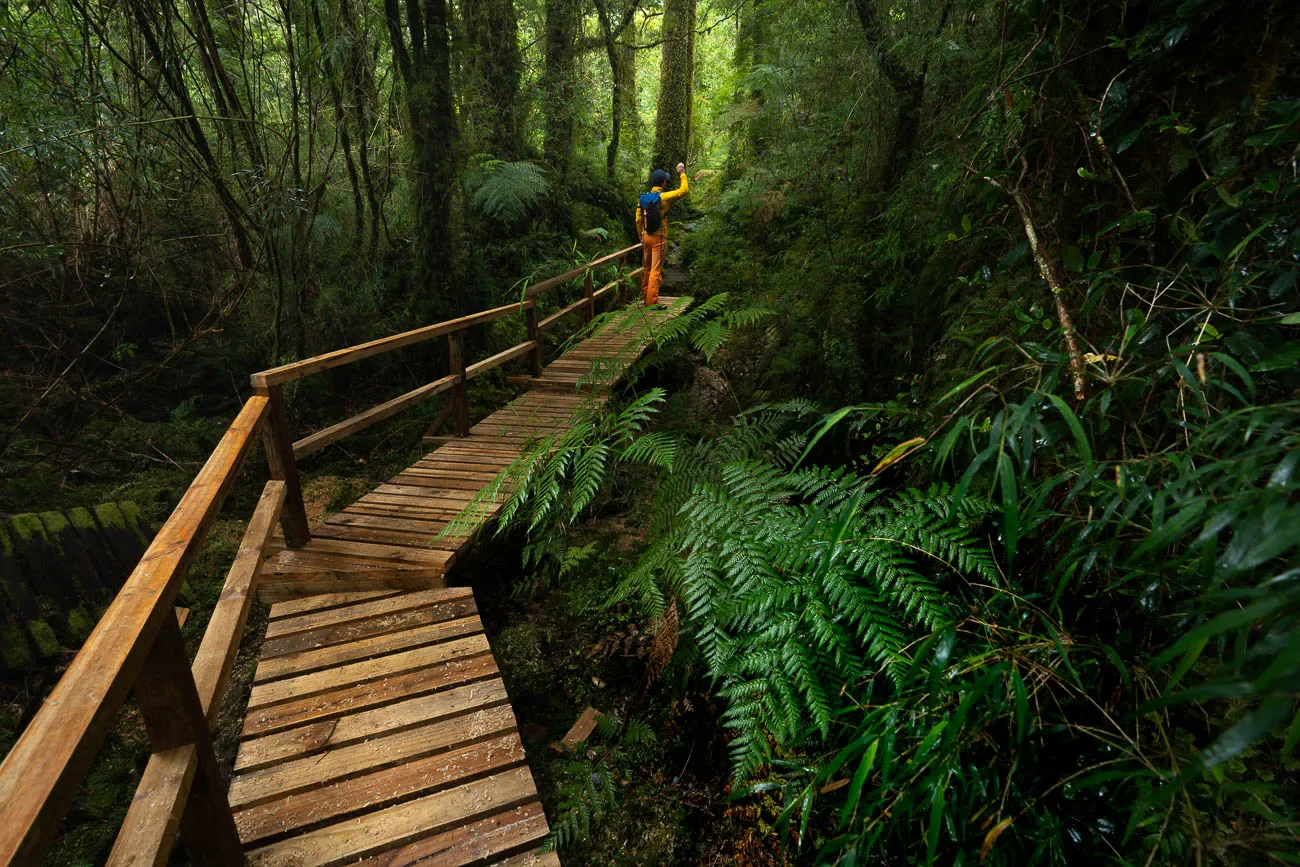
[(175, 719)]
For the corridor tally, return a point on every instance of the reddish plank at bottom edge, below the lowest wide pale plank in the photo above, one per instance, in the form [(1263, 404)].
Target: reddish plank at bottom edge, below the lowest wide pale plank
[(474, 843)]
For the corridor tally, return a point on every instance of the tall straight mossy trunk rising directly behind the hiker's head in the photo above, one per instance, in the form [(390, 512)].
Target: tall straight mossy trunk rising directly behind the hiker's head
[(677, 89)]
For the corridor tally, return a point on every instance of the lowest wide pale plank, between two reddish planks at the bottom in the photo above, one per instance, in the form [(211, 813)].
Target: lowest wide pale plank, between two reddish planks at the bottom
[(392, 827)]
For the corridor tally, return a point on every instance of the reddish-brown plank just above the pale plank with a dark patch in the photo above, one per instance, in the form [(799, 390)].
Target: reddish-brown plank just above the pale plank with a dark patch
[(356, 699)]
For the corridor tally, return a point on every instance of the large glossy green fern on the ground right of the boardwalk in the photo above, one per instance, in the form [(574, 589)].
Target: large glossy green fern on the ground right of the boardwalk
[(799, 582)]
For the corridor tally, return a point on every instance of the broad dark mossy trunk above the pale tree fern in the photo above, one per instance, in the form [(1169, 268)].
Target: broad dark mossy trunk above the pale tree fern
[(495, 67)]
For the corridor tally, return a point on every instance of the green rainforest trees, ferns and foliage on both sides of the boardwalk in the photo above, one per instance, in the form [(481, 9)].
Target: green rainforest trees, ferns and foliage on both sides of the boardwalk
[(989, 545)]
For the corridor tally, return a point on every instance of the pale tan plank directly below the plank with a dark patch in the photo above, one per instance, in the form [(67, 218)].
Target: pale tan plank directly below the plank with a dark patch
[(298, 775)]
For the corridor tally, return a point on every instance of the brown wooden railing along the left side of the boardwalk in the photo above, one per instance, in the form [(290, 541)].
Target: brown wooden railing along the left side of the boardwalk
[(137, 647)]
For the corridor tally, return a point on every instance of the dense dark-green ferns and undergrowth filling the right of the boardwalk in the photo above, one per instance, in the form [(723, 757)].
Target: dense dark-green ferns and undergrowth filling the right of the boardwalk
[(1030, 596)]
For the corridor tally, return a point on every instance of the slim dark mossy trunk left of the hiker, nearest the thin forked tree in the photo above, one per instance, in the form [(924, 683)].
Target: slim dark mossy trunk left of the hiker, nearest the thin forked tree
[(558, 84)]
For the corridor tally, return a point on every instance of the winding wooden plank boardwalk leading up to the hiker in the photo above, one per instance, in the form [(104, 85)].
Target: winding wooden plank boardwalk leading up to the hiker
[(379, 729)]
